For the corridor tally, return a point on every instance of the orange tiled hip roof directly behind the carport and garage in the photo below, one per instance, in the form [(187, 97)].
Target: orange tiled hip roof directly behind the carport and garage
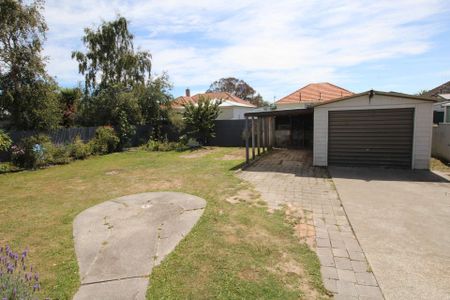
[(315, 92)]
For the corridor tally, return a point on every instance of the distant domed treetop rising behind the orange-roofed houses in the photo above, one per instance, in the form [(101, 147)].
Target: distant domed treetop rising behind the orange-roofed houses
[(237, 87)]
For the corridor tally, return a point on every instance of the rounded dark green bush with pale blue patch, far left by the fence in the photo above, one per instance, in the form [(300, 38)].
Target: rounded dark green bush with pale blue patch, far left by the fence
[(32, 152)]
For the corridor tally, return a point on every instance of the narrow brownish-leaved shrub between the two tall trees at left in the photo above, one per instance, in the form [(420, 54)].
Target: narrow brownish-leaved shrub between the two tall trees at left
[(69, 101)]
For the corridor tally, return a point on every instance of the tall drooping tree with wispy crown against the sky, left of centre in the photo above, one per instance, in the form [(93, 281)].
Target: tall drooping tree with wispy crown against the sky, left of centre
[(110, 59)]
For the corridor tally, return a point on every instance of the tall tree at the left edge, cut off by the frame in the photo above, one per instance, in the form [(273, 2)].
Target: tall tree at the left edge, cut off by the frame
[(27, 94)]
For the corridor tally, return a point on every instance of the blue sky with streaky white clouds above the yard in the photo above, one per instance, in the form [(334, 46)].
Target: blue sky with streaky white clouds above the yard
[(275, 46)]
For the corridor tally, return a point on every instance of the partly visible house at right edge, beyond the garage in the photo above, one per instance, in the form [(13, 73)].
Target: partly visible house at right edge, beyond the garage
[(442, 107)]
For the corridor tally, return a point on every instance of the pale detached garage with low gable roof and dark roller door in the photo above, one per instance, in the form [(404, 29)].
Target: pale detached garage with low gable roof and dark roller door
[(374, 128)]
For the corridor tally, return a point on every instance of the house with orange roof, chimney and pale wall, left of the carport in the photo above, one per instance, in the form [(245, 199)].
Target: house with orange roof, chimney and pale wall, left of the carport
[(231, 107)]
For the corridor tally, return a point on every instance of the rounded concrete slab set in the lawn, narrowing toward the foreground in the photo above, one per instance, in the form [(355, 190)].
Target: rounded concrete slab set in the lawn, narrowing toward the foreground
[(118, 242)]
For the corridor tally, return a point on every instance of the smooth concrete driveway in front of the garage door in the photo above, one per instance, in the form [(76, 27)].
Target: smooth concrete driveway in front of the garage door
[(402, 220)]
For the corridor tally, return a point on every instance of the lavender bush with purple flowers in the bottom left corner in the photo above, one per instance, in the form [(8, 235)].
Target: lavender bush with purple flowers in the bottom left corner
[(17, 281)]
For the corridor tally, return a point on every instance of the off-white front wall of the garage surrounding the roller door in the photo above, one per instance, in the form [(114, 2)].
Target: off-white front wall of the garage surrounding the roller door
[(423, 122)]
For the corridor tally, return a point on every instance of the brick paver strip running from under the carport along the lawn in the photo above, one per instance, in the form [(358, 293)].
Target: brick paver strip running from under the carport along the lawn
[(287, 177)]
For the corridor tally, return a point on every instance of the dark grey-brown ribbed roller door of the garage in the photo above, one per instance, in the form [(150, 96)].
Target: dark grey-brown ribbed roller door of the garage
[(379, 137)]
